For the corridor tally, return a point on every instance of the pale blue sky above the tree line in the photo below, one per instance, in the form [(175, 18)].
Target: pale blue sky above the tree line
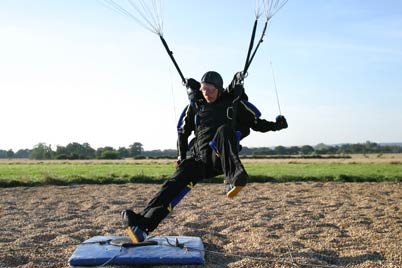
[(76, 71)]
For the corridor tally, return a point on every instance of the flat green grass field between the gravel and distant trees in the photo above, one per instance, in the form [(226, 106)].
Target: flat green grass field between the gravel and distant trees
[(358, 168)]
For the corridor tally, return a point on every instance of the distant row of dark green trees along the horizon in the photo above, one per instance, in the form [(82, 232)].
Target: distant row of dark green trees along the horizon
[(73, 151)]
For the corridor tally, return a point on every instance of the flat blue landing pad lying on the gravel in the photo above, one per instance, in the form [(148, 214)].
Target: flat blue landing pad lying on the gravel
[(112, 250)]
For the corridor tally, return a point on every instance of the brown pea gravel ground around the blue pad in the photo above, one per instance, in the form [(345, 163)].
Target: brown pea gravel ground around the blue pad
[(267, 225)]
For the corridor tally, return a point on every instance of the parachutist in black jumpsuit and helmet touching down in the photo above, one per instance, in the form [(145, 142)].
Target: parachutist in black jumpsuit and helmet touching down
[(214, 149)]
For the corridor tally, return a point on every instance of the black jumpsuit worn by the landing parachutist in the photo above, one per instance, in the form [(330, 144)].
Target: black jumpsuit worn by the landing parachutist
[(209, 122)]
